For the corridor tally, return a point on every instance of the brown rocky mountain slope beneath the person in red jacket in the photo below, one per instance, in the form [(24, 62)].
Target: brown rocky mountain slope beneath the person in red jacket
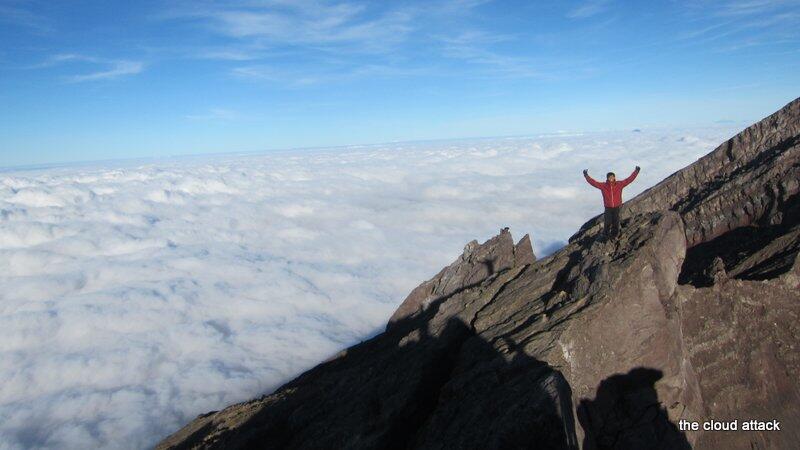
[(691, 315)]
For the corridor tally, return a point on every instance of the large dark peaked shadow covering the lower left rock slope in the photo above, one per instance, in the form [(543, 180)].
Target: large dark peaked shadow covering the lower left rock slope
[(416, 386)]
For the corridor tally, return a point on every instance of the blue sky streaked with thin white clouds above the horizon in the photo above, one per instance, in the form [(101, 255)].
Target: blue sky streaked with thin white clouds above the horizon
[(88, 80)]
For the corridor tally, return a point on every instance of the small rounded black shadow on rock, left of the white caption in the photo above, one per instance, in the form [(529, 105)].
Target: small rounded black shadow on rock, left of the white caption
[(626, 414)]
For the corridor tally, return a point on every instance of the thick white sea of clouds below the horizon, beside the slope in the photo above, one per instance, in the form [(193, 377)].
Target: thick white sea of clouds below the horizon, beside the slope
[(134, 296)]
